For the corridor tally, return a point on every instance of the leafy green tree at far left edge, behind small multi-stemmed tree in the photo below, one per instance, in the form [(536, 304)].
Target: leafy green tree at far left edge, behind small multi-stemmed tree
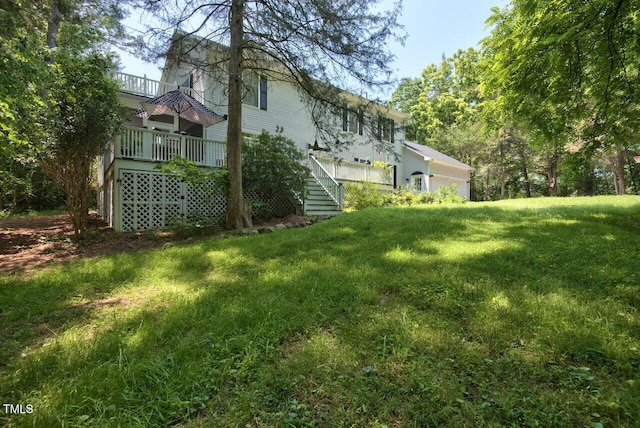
[(30, 33)]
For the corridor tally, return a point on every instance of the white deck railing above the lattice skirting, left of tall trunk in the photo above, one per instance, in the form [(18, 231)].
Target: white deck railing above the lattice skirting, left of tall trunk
[(157, 146)]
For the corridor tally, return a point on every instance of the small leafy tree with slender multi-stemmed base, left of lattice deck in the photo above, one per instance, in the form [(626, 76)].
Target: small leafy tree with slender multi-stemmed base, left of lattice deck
[(83, 115)]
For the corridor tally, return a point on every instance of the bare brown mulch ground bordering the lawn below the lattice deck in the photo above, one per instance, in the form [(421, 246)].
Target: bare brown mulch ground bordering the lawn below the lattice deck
[(31, 242)]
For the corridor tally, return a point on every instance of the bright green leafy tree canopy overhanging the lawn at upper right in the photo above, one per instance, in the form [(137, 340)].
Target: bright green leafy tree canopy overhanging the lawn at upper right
[(569, 70)]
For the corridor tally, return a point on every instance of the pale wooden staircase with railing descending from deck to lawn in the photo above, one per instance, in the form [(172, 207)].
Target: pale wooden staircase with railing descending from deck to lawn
[(324, 193)]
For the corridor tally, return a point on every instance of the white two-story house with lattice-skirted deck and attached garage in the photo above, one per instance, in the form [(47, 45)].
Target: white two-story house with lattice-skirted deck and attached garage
[(134, 195)]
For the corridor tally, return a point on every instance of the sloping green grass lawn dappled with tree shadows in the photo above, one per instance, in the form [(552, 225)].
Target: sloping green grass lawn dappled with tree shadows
[(519, 313)]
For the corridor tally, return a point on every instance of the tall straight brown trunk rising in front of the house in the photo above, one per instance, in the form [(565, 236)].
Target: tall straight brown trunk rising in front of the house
[(234, 124)]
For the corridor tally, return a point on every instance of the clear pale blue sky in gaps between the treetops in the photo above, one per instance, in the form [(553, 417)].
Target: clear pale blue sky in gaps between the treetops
[(434, 28)]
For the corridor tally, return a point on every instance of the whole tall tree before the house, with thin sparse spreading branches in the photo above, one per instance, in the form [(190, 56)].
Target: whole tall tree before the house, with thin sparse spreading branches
[(316, 45)]
